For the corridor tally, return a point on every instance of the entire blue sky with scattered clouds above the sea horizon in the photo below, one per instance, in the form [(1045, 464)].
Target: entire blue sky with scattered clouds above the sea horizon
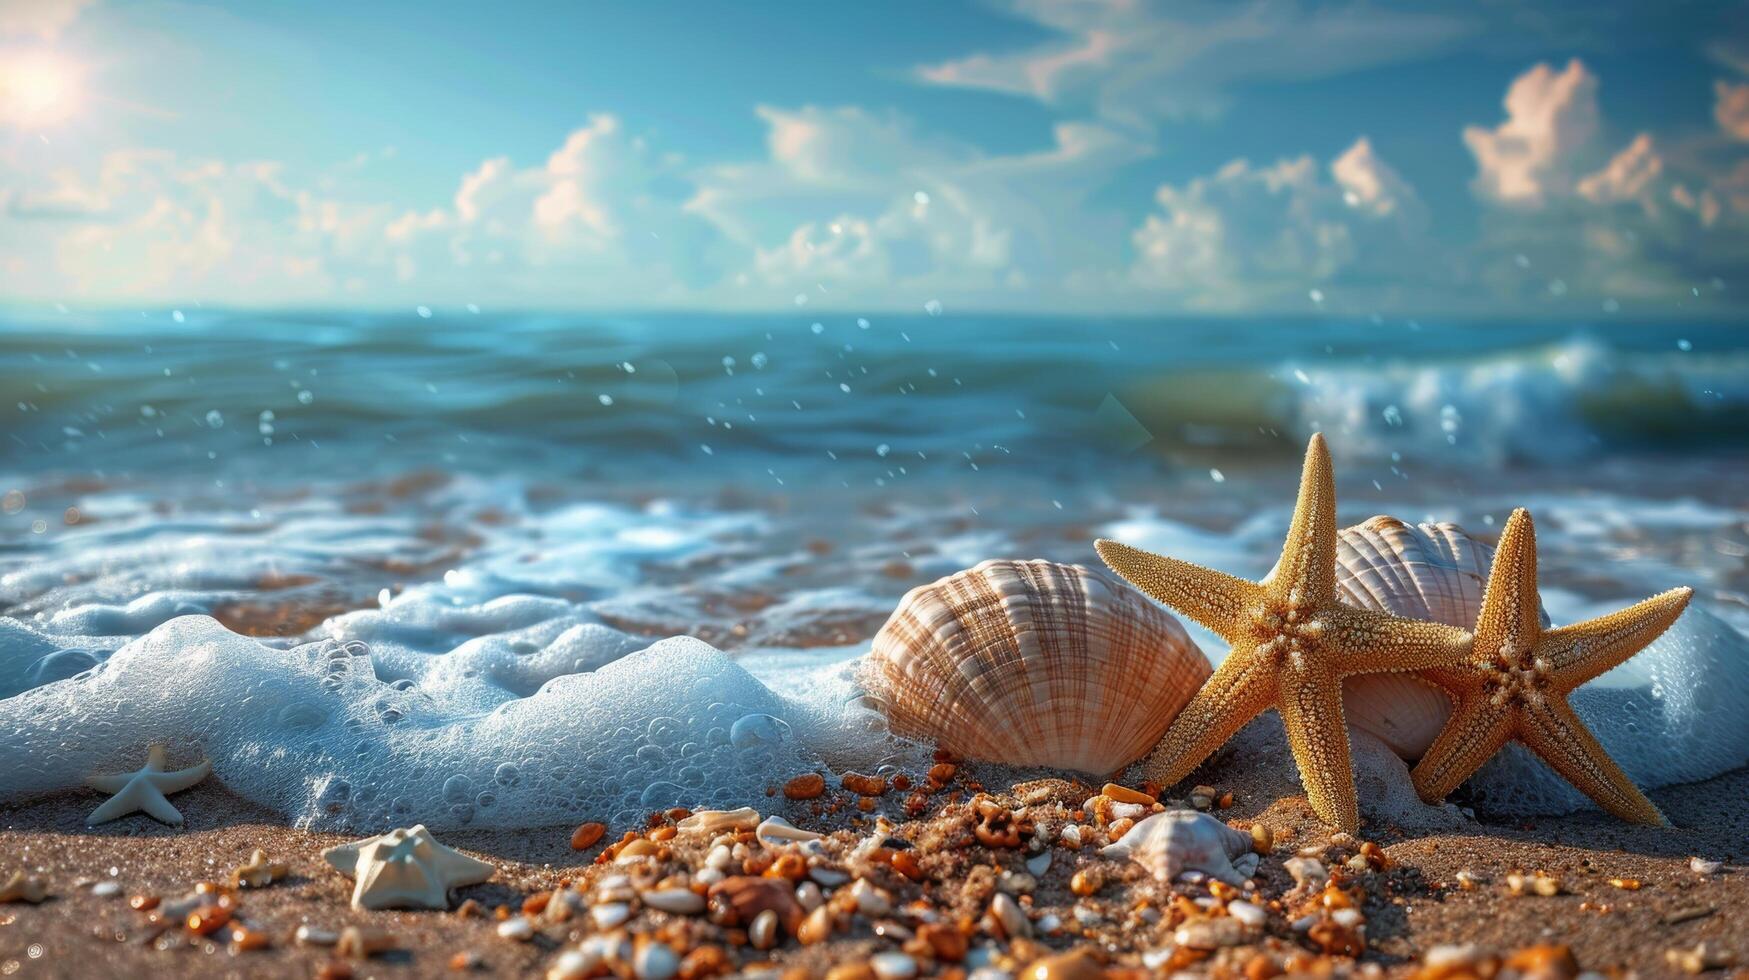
[(1017, 155)]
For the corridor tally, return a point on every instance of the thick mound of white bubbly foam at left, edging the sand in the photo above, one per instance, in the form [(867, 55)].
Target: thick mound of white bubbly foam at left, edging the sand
[(573, 748)]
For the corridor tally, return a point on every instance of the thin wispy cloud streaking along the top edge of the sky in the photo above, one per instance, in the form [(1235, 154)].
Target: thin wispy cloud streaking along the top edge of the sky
[(1141, 62)]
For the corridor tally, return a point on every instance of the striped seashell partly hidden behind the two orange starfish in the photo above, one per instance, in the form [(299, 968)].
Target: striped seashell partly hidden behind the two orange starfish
[(1430, 571)]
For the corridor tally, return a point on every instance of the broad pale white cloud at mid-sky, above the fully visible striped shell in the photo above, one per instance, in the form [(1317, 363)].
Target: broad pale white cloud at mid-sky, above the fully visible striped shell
[(872, 211)]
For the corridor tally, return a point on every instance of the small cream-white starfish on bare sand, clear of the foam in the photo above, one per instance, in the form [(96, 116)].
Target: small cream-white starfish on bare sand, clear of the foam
[(405, 869)]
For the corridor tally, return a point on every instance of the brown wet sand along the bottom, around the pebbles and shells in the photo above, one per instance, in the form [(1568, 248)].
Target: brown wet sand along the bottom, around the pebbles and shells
[(1416, 902)]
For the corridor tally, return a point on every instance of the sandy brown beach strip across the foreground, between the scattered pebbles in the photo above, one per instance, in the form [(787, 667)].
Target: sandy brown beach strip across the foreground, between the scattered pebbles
[(1626, 902)]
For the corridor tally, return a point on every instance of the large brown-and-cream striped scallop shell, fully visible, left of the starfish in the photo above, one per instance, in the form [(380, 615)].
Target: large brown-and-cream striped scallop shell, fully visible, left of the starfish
[(1035, 664)]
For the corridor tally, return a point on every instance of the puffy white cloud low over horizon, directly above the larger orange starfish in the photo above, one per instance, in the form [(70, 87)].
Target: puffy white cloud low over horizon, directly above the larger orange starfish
[(1258, 235)]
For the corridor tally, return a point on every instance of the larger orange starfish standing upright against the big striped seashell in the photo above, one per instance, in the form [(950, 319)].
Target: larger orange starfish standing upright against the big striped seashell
[(1293, 643)]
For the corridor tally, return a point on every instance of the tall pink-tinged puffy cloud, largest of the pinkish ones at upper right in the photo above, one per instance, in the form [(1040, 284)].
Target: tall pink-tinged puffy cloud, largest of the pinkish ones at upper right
[(1547, 141)]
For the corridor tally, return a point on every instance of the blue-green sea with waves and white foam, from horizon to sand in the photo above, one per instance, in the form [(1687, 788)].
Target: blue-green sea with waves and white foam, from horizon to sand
[(400, 566)]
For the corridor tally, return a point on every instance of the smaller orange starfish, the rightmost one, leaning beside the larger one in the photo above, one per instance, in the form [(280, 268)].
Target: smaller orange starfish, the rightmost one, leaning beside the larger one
[(1517, 682)]
